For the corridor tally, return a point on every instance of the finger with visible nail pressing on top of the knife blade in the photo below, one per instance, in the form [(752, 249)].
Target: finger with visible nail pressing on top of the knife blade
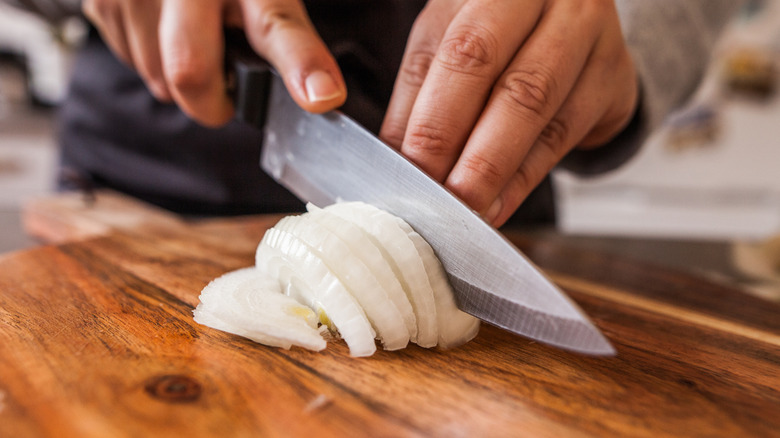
[(281, 31)]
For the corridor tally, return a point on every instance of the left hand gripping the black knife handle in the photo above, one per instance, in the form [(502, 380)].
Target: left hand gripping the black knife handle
[(177, 48)]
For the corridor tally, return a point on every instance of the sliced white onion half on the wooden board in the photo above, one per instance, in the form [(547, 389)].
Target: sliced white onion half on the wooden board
[(351, 271)]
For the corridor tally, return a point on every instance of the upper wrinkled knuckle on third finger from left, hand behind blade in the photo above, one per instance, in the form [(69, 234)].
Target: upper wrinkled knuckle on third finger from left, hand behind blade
[(530, 89)]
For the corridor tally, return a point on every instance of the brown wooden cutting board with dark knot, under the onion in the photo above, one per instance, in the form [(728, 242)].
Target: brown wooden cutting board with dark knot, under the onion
[(97, 340)]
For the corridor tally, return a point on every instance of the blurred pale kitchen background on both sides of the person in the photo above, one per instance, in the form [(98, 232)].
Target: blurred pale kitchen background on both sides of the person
[(703, 195)]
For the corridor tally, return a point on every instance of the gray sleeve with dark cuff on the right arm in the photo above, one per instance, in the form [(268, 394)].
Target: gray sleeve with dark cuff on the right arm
[(670, 42)]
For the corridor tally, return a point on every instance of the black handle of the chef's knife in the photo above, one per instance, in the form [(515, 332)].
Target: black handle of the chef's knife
[(248, 78)]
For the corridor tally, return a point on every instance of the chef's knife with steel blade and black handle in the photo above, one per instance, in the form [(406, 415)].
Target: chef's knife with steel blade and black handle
[(324, 158)]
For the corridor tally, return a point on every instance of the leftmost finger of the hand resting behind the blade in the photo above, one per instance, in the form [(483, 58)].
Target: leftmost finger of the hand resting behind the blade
[(424, 39)]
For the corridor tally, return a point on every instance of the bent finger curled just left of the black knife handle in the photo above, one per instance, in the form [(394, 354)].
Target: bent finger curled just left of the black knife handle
[(191, 48)]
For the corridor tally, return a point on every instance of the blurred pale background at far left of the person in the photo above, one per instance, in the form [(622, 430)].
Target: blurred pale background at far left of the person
[(34, 65)]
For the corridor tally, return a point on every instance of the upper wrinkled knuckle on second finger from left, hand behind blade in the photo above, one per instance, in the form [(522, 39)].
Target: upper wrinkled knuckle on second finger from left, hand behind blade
[(469, 49)]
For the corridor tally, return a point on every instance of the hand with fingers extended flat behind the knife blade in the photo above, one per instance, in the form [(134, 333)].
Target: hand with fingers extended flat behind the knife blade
[(492, 94)]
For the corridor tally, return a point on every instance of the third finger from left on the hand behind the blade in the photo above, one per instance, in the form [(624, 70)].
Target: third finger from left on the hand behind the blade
[(525, 99)]
